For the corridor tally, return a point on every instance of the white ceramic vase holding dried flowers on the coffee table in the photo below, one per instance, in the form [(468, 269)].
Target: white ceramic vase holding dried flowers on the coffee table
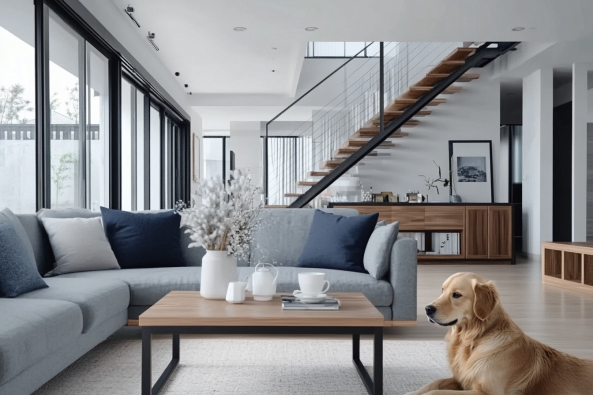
[(218, 270)]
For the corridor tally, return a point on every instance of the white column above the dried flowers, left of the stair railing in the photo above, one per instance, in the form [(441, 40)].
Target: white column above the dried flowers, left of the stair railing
[(246, 144)]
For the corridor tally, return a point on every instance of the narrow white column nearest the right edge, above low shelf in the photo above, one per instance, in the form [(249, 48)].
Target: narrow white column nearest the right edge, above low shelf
[(579, 152)]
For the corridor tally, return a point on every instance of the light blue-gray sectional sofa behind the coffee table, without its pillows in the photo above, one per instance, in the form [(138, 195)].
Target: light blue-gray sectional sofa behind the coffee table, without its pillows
[(44, 331)]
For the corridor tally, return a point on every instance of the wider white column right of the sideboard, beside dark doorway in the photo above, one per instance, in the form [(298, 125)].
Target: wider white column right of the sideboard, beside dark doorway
[(538, 93)]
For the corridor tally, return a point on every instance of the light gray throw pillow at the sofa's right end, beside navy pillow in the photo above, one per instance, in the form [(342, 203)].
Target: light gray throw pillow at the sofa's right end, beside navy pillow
[(378, 250)]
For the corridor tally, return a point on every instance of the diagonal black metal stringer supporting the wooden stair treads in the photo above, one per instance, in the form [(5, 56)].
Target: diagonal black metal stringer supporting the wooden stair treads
[(483, 55)]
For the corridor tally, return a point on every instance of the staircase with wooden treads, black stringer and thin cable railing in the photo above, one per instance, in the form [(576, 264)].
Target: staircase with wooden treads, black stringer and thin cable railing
[(357, 125)]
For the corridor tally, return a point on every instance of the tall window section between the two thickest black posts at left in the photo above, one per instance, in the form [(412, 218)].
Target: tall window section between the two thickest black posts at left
[(79, 114)]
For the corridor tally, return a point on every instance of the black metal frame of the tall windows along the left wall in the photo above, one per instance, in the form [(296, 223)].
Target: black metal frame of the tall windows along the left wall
[(81, 21)]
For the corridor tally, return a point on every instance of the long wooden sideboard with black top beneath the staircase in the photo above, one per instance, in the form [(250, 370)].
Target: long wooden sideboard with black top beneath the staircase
[(485, 230)]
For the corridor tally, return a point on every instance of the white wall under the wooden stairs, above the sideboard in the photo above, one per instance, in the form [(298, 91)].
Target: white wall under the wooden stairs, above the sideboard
[(472, 114)]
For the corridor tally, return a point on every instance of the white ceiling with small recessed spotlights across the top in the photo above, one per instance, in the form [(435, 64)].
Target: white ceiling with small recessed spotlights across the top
[(196, 37)]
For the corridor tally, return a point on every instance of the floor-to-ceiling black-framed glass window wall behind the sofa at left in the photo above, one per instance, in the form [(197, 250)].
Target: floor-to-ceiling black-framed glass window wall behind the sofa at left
[(80, 126)]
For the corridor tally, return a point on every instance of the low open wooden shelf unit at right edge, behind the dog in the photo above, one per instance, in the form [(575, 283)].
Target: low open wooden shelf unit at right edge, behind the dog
[(568, 265)]
